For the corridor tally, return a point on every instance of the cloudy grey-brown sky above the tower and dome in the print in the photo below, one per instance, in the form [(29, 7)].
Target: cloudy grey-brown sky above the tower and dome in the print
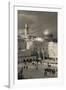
[(38, 22)]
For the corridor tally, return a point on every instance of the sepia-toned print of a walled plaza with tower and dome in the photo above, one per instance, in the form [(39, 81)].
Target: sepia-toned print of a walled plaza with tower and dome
[(37, 37)]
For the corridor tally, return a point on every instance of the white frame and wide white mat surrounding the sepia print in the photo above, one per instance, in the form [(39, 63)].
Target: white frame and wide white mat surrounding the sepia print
[(13, 81)]
